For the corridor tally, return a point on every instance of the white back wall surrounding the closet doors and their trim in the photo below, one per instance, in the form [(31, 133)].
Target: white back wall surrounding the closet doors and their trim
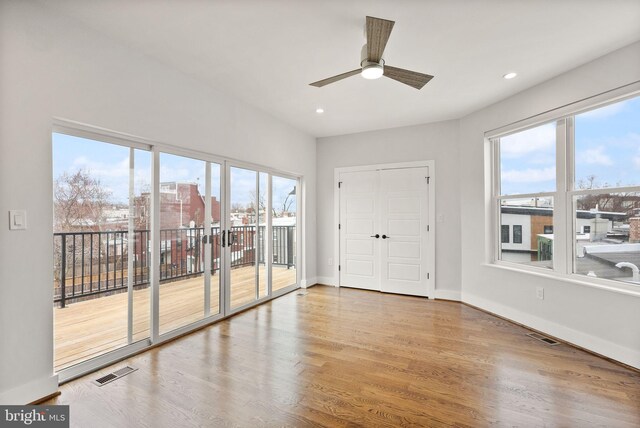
[(436, 141)]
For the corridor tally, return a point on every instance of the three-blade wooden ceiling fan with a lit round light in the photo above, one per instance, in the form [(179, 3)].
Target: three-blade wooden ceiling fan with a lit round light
[(372, 65)]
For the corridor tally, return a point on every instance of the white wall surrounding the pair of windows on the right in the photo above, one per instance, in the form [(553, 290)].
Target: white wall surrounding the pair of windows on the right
[(601, 320)]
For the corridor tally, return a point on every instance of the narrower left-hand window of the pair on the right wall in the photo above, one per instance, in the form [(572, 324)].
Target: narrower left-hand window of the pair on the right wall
[(526, 183)]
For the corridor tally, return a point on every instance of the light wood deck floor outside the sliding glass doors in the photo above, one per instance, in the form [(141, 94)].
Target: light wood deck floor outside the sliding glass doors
[(86, 329)]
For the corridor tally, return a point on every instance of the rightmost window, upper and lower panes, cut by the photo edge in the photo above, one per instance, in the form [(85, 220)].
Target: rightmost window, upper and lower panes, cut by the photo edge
[(606, 195)]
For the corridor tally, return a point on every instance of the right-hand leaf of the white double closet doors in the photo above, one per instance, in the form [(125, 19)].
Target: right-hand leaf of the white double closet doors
[(403, 229)]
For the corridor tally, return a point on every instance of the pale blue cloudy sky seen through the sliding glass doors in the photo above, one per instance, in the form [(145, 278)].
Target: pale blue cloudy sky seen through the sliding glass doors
[(109, 163)]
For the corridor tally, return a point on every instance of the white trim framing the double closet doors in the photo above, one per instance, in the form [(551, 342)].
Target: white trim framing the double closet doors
[(431, 243)]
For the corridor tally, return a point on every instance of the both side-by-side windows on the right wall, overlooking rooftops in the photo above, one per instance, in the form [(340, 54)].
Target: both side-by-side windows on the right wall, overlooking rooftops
[(589, 164)]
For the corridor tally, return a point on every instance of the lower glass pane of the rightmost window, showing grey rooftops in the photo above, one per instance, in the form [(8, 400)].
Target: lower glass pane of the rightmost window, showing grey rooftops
[(608, 236)]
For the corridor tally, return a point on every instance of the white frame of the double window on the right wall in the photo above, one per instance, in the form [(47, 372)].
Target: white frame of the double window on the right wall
[(564, 219)]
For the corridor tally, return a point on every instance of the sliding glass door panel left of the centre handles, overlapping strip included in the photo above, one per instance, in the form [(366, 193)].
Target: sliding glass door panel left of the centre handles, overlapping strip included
[(189, 277)]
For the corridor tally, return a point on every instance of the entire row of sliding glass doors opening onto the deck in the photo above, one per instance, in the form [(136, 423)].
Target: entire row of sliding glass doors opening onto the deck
[(149, 244)]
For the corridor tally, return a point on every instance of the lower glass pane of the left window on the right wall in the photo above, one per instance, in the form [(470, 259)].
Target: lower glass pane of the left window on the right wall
[(526, 229)]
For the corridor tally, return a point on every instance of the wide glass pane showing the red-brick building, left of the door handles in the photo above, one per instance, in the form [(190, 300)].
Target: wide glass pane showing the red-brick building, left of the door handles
[(181, 248)]
